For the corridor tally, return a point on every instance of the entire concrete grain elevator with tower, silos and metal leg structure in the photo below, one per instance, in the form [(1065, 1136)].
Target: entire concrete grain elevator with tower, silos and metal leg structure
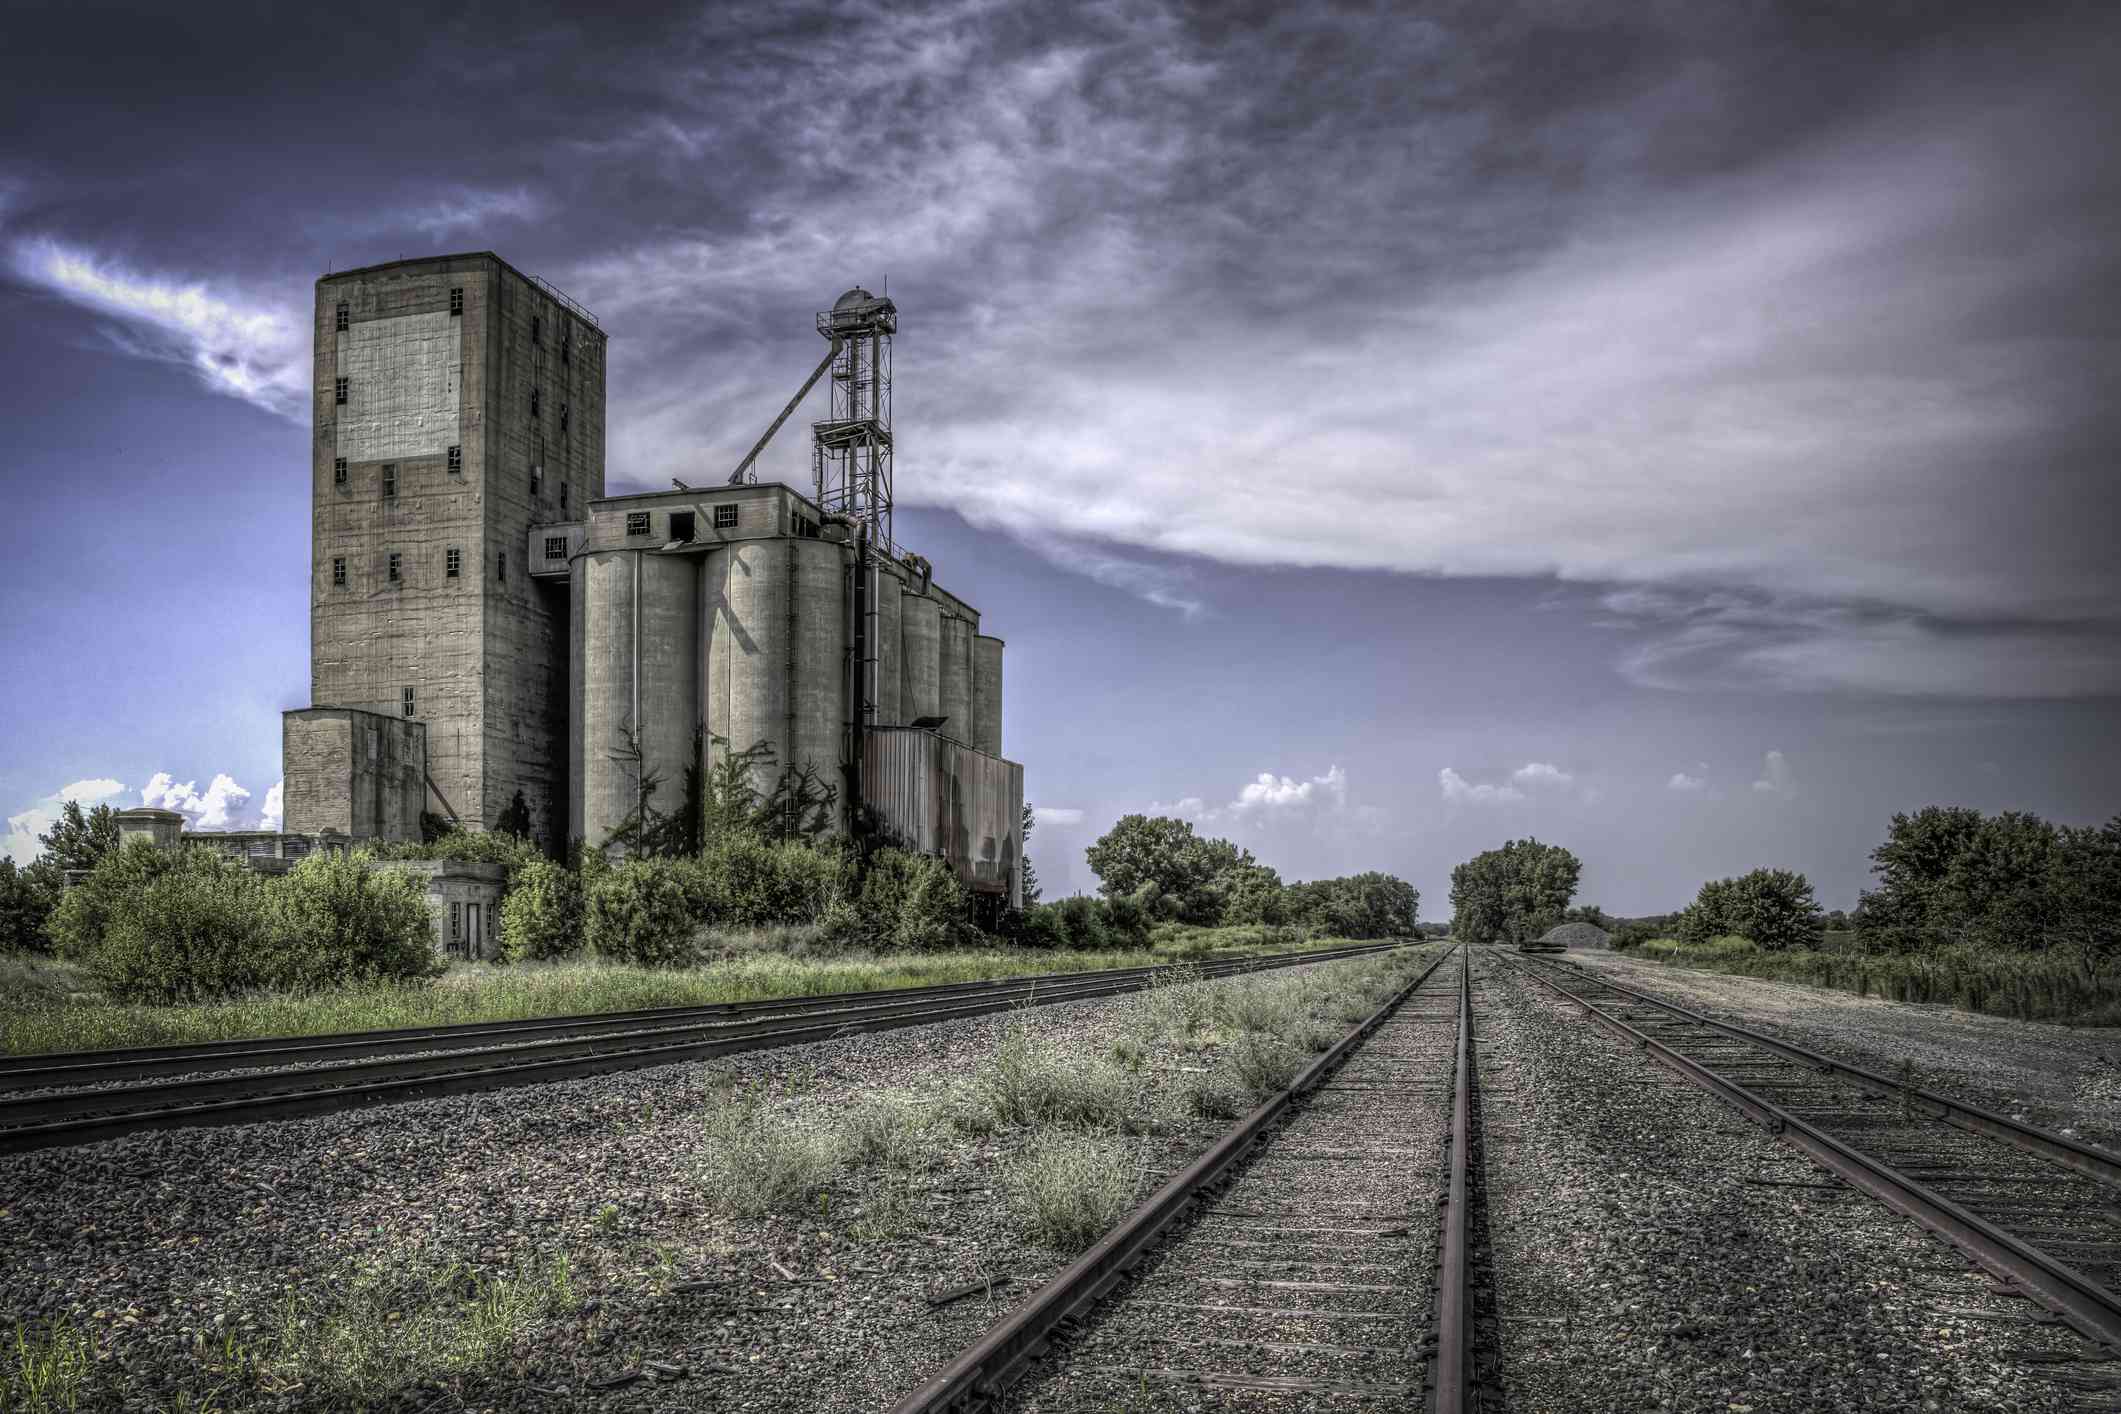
[(474, 580)]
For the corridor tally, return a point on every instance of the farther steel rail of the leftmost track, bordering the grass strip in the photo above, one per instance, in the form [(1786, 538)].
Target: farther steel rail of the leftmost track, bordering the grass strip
[(56, 1070)]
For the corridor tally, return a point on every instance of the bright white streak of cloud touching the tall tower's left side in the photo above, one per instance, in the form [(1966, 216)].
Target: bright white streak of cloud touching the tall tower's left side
[(247, 351)]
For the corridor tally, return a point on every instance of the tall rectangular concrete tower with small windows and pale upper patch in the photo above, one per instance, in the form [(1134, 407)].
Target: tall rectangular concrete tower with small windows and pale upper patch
[(457, 404)]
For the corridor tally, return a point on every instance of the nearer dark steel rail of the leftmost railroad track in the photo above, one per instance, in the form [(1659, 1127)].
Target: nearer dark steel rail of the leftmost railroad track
[(46, 1123)]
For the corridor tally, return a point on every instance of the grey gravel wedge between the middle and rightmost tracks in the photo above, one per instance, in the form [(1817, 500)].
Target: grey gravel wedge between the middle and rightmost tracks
[(1655, 1252)]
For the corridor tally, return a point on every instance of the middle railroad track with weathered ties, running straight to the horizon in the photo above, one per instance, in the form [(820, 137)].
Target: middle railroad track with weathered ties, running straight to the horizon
[(1352, 1265)]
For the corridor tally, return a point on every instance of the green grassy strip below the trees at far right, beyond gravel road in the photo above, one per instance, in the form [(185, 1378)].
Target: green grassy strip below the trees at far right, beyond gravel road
[(2035, 987)]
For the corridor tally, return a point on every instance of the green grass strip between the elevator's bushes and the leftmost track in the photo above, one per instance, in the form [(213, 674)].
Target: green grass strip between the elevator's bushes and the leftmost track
[(48, 1006)]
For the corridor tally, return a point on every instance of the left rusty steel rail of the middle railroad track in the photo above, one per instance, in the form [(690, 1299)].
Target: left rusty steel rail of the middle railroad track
[(992, 1364)]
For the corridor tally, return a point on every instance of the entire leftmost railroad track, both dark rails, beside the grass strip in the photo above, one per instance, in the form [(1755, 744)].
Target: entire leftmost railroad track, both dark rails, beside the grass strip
[(508, 1055)]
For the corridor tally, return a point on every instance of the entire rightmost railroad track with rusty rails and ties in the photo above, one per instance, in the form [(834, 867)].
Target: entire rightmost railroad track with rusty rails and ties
[(2035, 1209)]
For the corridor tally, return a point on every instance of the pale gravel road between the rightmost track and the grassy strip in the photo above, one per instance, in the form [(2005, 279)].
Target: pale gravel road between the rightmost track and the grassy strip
[(2063, 1078)]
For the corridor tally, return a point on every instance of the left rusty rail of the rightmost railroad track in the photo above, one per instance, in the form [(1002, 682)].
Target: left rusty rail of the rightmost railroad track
[(2088, 1307)]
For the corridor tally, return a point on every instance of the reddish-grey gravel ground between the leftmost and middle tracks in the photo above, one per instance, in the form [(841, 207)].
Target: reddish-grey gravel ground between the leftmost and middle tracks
[(158, 1245)]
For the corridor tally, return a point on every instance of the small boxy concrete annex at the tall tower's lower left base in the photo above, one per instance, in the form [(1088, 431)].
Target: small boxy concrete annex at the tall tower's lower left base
[(351, 773)]
